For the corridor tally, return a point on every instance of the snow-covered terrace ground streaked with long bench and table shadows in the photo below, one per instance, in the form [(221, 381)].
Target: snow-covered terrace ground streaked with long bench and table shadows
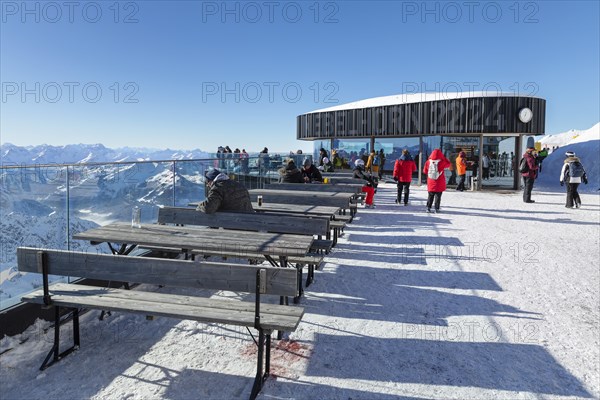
[(491, 299)]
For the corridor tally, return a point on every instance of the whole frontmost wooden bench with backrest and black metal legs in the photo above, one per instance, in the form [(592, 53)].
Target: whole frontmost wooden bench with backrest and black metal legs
[(221, 276)]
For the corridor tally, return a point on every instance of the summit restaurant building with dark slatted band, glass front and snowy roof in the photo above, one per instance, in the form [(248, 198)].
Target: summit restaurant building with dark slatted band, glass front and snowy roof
[(490, 129)]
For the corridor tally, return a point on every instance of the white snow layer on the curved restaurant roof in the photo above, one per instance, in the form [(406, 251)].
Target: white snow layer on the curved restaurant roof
[(406, 98)]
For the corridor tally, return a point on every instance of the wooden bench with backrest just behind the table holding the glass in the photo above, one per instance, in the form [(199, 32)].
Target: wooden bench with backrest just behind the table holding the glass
[(259, 222)]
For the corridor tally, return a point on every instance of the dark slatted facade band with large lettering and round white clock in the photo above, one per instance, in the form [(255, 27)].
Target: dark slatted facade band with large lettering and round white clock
[(461, 116)]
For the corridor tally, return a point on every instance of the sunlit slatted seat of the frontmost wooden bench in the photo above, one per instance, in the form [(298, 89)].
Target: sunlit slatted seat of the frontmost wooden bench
[(170, 305)]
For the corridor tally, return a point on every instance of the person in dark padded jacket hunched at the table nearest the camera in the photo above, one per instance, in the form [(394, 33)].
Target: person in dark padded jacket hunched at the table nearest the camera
[(224, 194)]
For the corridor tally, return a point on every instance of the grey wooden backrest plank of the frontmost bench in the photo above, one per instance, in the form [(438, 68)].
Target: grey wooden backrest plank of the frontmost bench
[(204, 275)]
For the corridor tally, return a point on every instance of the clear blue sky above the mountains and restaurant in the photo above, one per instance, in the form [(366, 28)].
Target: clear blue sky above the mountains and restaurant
[(192, 74)]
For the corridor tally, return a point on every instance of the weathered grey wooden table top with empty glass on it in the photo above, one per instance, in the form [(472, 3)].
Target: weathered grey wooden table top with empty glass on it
[(196, 238)]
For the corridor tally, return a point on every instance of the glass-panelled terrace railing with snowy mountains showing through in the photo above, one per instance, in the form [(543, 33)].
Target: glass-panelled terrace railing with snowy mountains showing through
[(44, 205)]
